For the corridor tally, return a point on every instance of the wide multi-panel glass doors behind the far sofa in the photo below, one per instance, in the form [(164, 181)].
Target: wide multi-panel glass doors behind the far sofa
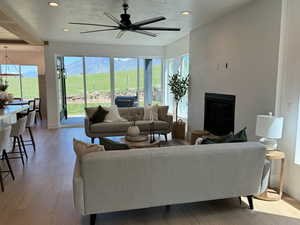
[(93, 81)]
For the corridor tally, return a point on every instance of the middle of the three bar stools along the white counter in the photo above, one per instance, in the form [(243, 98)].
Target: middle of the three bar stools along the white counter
[(17, 131)]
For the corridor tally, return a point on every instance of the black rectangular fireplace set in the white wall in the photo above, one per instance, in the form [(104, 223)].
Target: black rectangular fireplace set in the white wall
[(219, 113)]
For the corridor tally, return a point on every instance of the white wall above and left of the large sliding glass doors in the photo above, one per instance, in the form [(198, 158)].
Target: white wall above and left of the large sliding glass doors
[(78, 49)]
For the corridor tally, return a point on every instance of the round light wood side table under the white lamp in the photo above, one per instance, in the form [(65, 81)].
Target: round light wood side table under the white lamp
[(271, 194)]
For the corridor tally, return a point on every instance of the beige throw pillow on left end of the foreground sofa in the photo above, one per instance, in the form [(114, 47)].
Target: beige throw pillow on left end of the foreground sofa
[(82, 148)]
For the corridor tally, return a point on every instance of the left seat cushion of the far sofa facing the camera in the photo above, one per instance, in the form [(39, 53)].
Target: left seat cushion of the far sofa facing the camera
[(115, 127)]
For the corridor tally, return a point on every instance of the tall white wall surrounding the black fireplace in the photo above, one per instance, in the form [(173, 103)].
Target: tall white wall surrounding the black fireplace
[(248, 40)]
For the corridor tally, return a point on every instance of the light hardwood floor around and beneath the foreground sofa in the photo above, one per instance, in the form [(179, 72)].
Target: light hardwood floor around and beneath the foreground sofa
[(42, 195)]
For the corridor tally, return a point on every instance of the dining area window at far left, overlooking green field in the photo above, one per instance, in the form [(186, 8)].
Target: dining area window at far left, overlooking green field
[(25, 84)]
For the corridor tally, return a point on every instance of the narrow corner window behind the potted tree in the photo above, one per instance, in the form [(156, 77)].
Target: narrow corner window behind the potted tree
[(174, 65)]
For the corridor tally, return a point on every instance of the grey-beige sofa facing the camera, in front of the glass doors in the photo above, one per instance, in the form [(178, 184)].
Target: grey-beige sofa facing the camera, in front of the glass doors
[(162, 126)]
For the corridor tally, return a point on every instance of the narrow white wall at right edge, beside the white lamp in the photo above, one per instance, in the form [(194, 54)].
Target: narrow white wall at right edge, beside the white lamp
[(290, 92)]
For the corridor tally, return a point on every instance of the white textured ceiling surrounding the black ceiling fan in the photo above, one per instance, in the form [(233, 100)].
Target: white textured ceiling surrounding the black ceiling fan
[(48, 22)]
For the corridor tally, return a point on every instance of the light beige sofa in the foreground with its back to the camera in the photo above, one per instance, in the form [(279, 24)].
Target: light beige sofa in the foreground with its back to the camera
[(113, 181)]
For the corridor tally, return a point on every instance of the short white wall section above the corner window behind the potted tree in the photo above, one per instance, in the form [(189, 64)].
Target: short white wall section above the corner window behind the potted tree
[(177, 48)]
